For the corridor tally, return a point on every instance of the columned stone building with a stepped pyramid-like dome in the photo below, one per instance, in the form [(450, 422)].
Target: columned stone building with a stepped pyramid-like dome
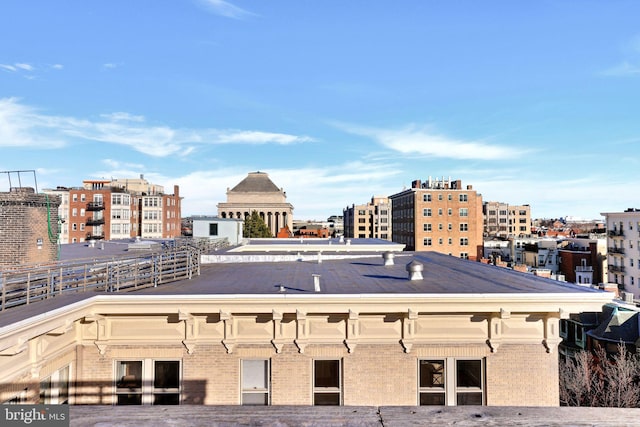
[(258, 193)]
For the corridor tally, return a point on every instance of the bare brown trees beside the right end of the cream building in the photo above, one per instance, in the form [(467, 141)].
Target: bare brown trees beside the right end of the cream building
[(600, 379)]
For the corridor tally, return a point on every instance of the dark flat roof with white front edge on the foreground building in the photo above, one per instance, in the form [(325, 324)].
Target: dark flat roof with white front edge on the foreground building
[(443, 275)]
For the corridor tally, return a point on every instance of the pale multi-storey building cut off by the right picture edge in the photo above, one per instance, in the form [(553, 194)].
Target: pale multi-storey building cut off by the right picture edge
[(623, 247)]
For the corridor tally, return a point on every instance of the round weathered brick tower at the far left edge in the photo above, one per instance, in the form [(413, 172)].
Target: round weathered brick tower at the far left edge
[(27, 218)]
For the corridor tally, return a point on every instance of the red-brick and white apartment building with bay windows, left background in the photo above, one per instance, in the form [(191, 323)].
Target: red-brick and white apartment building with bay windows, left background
[(118, 209)]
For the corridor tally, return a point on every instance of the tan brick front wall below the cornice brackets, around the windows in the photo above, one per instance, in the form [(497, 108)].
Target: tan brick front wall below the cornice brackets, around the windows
[(374, 374)]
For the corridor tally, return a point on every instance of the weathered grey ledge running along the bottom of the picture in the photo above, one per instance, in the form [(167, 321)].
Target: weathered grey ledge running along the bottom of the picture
[(106, 416)]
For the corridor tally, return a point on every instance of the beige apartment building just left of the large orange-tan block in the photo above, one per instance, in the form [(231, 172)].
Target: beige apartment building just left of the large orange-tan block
[(370, 220)]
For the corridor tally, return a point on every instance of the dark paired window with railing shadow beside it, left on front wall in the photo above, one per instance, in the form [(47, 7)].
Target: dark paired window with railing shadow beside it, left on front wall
[(148, 382)]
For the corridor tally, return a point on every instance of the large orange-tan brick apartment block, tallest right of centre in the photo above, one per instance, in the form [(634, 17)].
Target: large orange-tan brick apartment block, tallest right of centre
[(439, 215)]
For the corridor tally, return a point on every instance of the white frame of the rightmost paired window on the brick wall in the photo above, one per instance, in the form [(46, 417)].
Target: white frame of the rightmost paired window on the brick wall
[(450, 388)]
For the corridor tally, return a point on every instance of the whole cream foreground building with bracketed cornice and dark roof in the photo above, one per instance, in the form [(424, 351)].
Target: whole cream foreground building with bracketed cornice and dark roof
[(370, 334)]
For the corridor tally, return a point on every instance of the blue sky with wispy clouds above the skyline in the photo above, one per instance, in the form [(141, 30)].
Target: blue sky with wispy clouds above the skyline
[(530, 102)]
